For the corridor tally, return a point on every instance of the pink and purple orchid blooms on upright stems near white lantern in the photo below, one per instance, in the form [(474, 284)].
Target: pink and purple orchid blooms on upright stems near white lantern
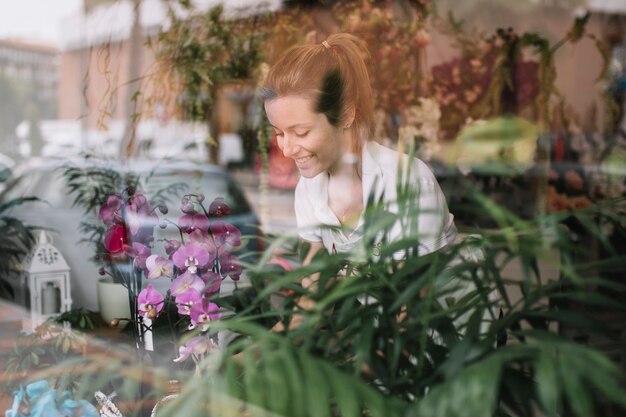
[(196, 263)]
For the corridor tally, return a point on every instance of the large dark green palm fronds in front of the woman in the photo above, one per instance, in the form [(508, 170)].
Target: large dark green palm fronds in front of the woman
[(457, 332)]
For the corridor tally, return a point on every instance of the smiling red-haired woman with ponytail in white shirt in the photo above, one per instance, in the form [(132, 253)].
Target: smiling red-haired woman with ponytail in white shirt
[(319, 101)]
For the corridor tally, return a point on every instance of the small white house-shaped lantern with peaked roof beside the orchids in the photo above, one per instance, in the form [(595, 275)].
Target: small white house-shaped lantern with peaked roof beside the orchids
[(45, 283)]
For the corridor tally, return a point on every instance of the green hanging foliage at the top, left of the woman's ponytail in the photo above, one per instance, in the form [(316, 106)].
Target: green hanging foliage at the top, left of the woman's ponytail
[(199, 52)]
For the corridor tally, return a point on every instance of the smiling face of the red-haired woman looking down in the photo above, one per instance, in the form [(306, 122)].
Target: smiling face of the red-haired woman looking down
[(306, 136)]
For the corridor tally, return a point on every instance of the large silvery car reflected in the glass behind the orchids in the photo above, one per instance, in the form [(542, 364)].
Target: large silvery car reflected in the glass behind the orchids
[(57, 213)]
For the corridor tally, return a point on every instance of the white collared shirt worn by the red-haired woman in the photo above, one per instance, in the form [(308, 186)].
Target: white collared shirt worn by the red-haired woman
[(434, 226)]
